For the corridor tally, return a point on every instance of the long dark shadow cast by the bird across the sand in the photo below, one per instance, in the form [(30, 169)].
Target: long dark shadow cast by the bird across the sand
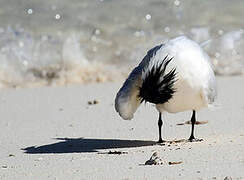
[(83, 145)]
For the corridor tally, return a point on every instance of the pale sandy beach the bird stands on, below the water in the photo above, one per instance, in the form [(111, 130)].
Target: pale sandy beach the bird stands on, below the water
[(53, 133)]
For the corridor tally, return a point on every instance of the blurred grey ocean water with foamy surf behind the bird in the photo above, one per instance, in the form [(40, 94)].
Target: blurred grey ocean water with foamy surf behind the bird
[(61, 42)]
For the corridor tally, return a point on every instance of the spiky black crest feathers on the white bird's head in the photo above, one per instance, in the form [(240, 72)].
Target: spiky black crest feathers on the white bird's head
[(157, 87)]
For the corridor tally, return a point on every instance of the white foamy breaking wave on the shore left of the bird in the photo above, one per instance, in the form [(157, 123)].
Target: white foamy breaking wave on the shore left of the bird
[(28, 61)]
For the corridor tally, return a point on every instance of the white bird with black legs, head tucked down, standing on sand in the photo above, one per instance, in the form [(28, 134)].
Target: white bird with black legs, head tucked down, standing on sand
[(175, 76)]
